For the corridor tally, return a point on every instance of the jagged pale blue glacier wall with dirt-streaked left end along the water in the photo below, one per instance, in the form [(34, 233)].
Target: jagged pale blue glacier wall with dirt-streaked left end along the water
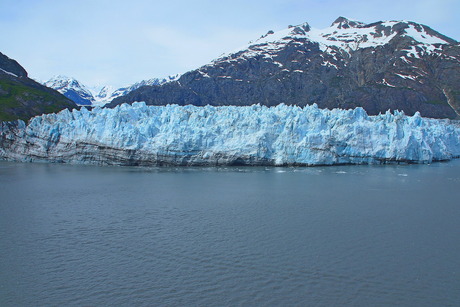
[(144, 135)]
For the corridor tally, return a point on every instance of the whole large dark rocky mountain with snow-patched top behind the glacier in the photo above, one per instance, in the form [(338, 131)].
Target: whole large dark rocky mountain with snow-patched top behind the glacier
[(379, 66)]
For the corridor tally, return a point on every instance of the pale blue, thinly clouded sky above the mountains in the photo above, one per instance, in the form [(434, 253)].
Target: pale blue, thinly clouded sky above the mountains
[(118, 43)]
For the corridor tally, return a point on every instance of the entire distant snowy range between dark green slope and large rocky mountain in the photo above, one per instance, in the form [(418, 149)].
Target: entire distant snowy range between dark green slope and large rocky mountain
[(97, 96)]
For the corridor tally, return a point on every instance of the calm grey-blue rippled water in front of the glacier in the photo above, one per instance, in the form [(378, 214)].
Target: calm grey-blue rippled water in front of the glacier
[(324, 236)]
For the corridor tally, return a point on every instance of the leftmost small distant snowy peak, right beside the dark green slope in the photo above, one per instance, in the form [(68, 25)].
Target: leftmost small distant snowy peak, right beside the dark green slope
[(72, 89)]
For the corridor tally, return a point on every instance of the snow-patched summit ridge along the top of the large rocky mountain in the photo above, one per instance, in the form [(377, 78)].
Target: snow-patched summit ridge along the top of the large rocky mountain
[(345, 34)]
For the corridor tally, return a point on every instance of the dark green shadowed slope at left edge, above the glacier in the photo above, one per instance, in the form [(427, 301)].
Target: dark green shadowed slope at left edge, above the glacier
[(22, 97)]
